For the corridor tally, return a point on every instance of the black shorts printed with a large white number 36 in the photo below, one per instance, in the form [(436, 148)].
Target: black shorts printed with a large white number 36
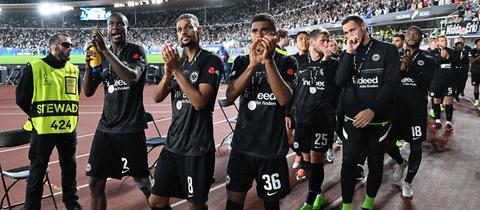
[(271, 175)]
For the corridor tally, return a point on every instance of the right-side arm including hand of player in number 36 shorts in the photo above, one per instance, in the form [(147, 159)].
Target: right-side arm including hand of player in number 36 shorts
[(281, 89)]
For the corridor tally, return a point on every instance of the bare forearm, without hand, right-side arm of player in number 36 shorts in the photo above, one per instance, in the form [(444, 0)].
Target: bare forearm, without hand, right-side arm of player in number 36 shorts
[(279, 87)]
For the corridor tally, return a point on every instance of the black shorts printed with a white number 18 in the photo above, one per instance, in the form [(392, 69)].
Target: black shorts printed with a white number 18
[(411, 128)]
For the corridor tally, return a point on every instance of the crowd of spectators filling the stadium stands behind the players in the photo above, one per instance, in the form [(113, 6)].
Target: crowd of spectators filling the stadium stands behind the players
[(153, 29)]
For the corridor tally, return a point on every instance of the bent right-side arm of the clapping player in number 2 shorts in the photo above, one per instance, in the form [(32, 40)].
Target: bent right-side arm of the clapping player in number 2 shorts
[(129, 73)]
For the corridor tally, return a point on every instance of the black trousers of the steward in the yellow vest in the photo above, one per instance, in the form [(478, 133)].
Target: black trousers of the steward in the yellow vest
[(41, 147)]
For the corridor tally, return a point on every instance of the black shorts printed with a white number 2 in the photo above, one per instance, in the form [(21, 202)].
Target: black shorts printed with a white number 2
[(118, 154)]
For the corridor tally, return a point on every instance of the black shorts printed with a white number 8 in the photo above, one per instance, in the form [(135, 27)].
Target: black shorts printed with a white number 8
[(187, 177)]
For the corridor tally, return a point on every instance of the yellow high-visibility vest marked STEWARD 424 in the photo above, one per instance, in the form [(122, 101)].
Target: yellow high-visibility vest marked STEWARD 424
[(55, 98)]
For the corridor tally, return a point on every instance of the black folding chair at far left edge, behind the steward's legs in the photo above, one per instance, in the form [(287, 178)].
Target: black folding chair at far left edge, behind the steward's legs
[(12, 139)]
